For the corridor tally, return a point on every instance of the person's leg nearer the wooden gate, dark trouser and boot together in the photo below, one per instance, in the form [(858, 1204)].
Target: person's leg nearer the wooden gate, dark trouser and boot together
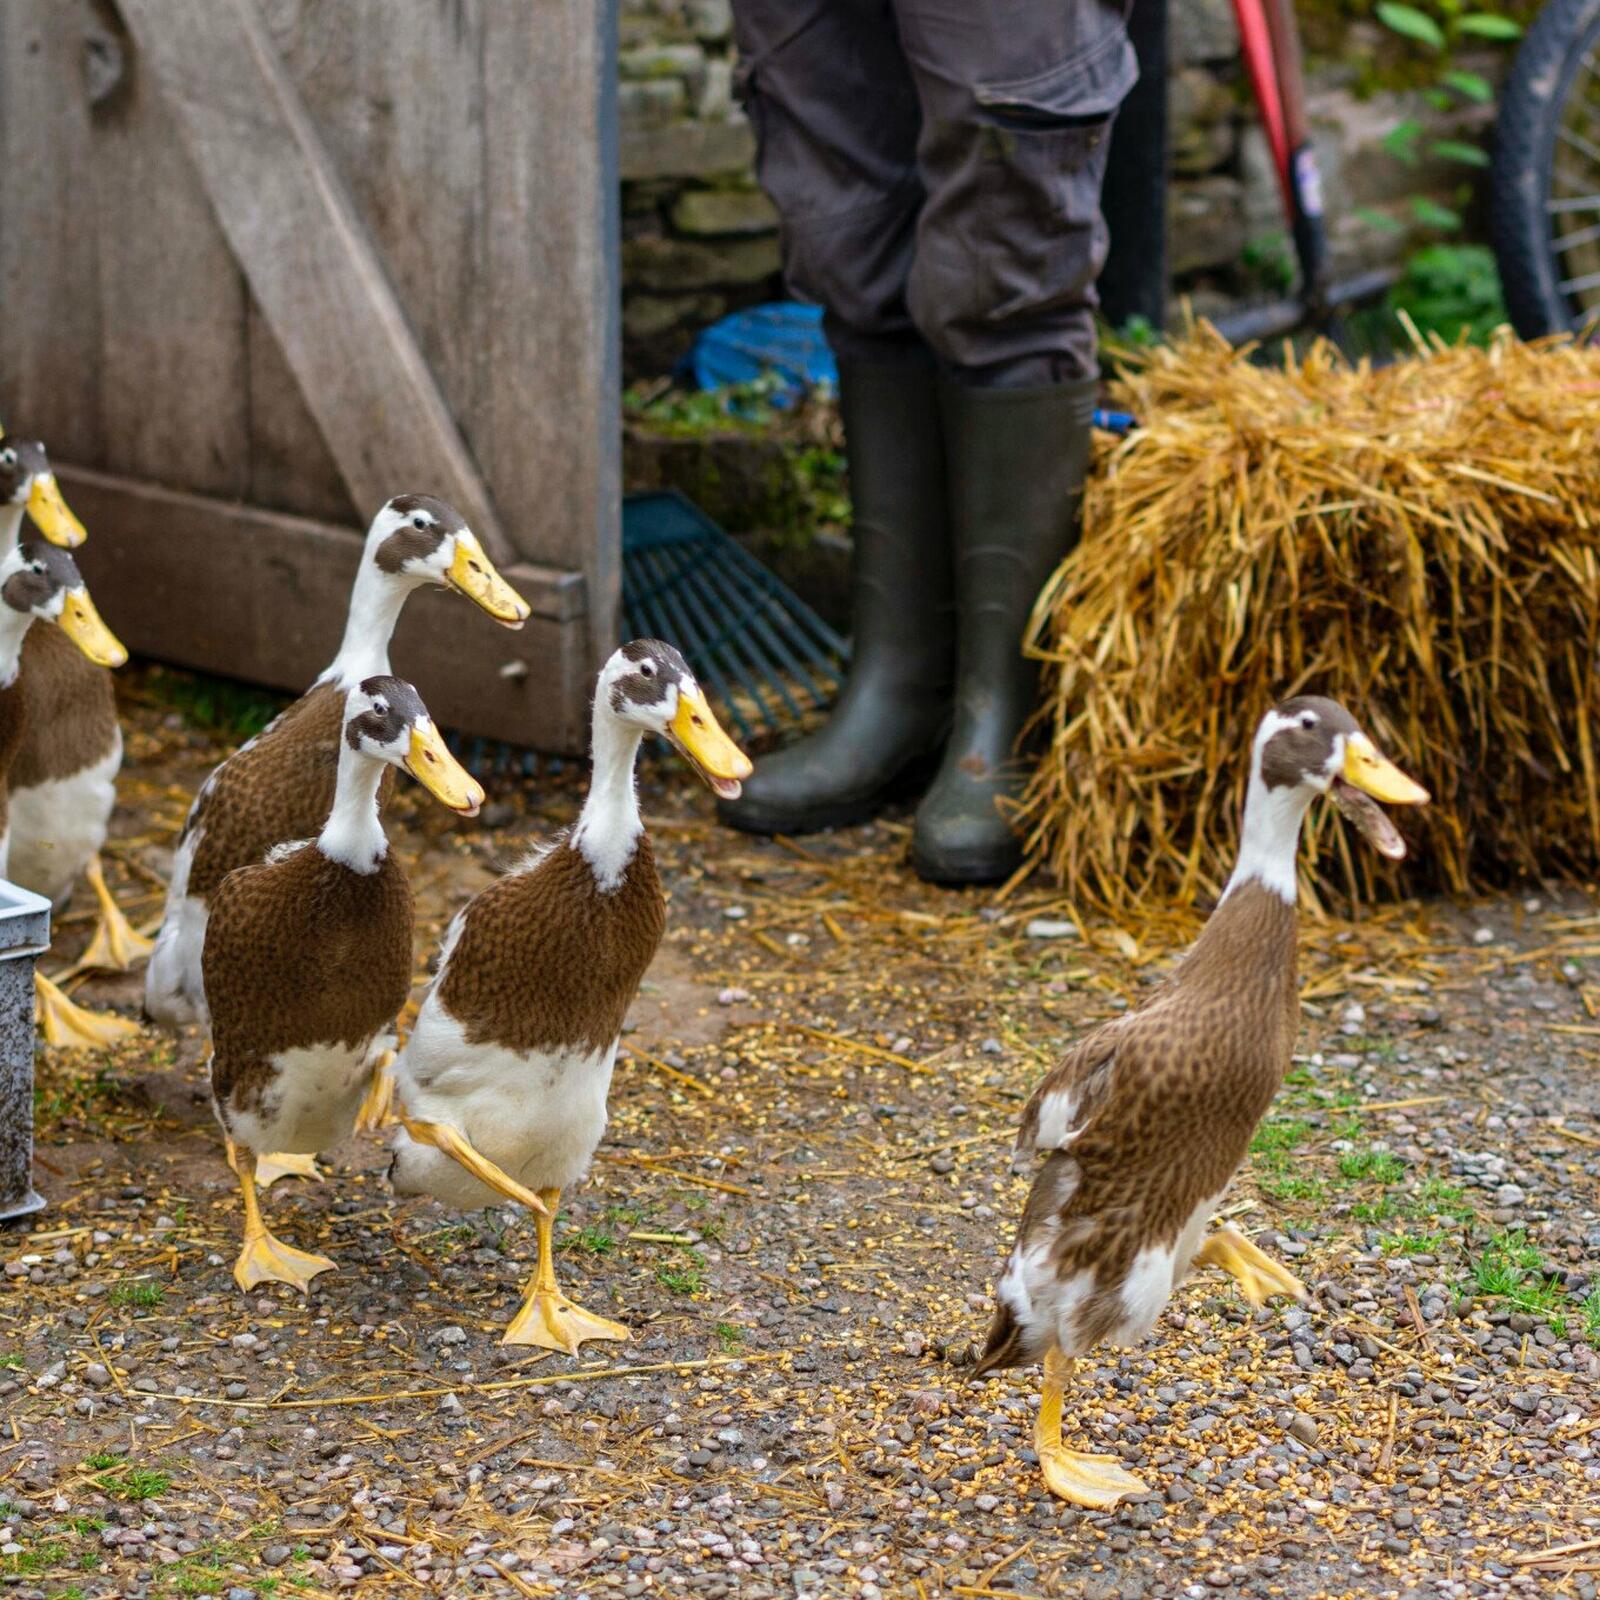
[(838, 122)]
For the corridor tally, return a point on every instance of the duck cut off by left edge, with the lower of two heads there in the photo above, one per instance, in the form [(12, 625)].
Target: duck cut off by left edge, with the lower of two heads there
[(41, 583)]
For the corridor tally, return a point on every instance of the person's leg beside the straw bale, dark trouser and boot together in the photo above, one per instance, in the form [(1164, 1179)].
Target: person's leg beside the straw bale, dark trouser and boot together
[(1018, 98)]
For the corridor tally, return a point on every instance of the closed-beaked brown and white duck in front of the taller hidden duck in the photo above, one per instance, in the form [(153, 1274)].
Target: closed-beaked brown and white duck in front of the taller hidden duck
[(308, 962)]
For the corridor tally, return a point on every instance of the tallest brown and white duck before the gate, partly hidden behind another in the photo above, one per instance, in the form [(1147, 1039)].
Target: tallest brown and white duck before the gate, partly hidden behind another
[(281, 785)]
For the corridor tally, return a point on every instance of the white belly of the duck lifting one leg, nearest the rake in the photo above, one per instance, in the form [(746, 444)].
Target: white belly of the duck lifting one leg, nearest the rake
[(537, 1114)]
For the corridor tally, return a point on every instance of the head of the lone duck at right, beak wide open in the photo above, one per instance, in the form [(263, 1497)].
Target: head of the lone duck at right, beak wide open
[(1314, 746)]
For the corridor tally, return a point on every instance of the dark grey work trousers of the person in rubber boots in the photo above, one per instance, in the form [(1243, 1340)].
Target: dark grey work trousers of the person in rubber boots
[(937, 169)]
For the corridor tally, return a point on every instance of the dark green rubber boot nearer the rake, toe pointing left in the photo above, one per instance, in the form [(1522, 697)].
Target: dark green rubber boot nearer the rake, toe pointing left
[(884, 735)]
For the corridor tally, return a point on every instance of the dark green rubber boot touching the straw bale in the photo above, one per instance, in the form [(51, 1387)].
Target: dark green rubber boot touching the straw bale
[(1017, 479)]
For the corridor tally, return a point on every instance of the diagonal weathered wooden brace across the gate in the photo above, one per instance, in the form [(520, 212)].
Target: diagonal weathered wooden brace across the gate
[(310, 263)]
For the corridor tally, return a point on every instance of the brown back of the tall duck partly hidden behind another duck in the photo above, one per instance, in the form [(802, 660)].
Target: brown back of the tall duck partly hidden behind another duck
[(274, 790)]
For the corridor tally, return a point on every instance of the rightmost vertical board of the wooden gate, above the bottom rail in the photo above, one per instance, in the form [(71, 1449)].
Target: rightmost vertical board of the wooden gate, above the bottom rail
[(550, 98)]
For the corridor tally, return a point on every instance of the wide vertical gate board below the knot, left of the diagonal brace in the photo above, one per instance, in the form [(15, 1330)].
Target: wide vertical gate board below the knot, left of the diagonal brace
[(174, 374)]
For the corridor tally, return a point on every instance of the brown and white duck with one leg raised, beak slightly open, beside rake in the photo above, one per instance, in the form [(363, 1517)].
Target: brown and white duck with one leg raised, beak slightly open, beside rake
[(516, 1039)]
